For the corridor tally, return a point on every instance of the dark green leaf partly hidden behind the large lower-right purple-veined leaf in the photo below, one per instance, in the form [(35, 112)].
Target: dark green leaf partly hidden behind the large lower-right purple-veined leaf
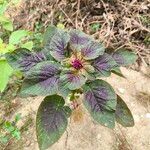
[(123, 114)]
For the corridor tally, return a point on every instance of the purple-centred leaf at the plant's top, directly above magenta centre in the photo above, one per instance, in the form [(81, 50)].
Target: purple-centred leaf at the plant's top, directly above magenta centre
[(78, 40)]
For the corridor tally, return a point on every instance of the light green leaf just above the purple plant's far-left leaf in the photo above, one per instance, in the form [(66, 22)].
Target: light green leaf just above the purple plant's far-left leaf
[(17, 36)]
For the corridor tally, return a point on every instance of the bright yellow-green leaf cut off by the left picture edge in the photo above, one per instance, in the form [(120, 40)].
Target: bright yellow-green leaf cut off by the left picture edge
[(6, 72)]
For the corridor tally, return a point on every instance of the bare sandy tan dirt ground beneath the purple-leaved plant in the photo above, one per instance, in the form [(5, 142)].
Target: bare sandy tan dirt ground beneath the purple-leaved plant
[(84, 134)]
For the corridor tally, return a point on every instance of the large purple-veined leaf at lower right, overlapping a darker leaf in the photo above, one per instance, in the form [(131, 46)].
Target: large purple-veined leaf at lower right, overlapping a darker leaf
[(100, 100)]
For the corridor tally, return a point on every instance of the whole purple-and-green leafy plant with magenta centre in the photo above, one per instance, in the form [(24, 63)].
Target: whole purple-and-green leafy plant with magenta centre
[(71, 62)]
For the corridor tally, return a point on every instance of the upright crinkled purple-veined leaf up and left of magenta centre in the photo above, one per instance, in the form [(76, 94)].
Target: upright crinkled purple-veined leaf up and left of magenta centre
[(58, 45)]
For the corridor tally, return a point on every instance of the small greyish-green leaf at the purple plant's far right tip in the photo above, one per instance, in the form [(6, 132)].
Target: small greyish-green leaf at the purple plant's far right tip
[(124, 57)]
